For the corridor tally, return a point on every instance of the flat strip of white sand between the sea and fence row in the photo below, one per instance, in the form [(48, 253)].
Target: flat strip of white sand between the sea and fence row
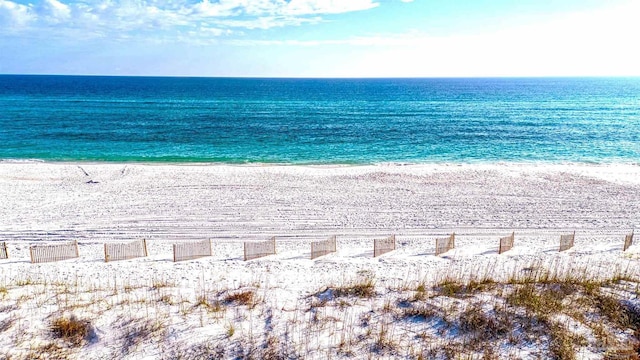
[(172, 202)]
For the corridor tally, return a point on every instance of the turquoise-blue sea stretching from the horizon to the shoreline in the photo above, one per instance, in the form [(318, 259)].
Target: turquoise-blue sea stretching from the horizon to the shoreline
[(352, 121)]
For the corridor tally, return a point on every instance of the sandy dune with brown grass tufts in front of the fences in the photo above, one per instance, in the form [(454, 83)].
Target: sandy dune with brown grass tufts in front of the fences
[(537, 311)]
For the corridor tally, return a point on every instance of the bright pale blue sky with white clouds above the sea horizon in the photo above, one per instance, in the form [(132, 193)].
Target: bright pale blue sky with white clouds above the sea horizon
[(321, 38)]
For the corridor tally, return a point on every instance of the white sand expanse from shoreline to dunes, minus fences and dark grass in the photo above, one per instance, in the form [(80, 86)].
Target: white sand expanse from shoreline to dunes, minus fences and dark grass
[(165, 204)]
